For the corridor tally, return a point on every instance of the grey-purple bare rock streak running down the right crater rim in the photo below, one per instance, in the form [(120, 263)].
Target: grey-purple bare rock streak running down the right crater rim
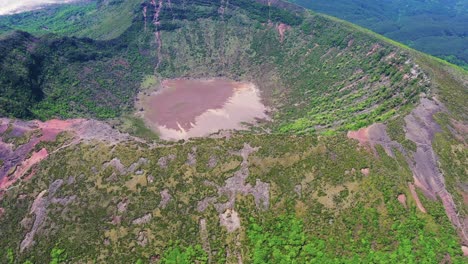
[(420, 128)]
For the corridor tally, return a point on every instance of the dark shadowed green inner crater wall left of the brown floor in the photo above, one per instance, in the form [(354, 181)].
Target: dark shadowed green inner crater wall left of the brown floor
[(68, 77)]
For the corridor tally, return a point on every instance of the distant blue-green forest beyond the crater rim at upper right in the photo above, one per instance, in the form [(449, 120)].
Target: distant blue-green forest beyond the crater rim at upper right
[(436, 27)]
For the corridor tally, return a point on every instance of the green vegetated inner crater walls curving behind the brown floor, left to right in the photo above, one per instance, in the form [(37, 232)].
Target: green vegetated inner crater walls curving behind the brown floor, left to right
[(320, 75)]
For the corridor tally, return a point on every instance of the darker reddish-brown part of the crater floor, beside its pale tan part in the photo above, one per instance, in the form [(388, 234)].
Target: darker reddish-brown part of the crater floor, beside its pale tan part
[(181, 100)]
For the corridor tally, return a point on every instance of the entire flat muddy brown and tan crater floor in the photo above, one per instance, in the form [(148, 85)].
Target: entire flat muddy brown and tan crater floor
[(185, 108)]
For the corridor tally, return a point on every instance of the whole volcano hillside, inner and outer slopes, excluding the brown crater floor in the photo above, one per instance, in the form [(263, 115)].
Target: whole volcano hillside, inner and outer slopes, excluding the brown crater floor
[(363, 161)]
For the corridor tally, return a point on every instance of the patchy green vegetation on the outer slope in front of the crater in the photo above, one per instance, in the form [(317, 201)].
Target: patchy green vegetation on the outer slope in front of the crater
[(339, 216)]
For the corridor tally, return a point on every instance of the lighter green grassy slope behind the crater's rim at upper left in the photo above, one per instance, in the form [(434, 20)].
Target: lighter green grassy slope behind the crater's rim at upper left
[(101, 20)]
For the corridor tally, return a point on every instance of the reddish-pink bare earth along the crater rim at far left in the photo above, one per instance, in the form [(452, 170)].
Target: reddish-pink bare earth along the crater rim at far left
[(19, 160)]
